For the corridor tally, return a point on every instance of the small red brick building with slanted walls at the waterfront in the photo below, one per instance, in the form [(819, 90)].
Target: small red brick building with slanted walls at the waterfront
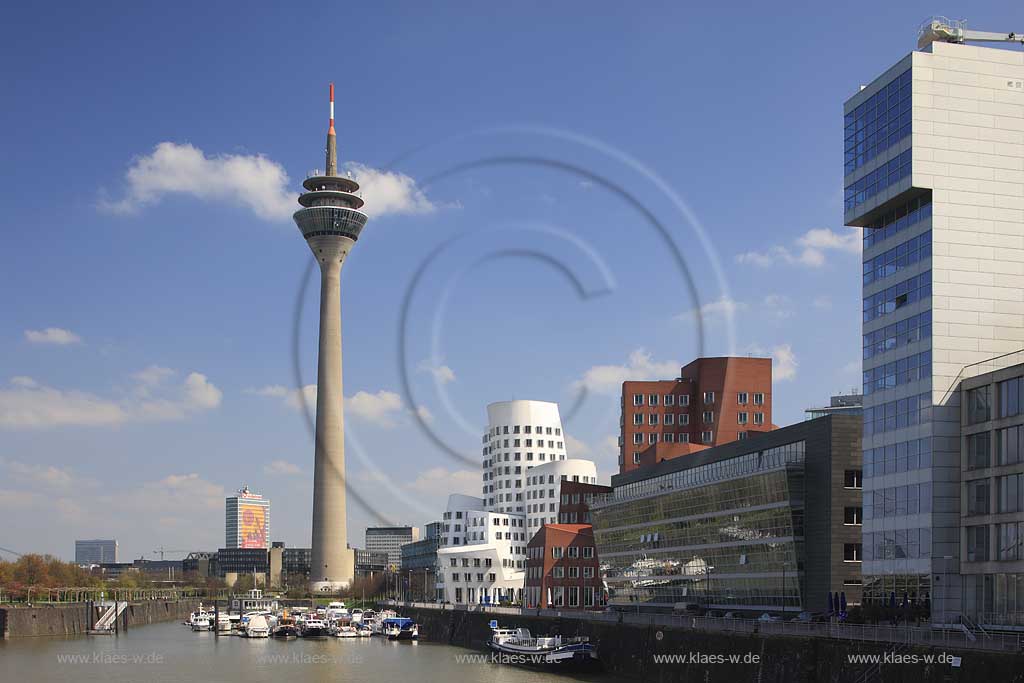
[(563, 570)]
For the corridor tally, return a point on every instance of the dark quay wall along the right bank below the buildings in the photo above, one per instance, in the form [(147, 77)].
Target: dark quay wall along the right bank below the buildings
[(629, 652)]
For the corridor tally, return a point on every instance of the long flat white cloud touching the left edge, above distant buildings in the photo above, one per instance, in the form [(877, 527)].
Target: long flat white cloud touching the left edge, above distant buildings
[(29, 405)]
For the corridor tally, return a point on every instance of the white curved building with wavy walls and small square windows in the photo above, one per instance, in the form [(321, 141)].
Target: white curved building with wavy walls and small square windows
[(484, 540)]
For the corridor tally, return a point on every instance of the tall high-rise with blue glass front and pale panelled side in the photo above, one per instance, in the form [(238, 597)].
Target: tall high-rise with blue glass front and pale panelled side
[(935, 175)]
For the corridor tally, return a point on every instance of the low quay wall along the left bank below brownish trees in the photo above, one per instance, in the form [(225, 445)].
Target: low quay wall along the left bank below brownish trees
[(73, 619)]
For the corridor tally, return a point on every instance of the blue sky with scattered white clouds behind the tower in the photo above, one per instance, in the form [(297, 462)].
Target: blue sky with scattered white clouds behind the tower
[(554, 191)]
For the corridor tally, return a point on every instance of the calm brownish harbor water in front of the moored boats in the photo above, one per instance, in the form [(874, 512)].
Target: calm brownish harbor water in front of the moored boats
[(165, 653)]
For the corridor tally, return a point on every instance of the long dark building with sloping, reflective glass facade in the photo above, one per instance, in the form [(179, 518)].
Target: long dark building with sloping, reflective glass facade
[(729, 528)]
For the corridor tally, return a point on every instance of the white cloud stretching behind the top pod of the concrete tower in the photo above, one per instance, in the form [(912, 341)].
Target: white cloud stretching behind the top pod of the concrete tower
[(253, 182)]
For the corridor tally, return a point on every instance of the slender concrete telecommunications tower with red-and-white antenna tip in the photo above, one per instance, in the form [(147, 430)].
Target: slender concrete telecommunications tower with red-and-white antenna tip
[(331, 223)]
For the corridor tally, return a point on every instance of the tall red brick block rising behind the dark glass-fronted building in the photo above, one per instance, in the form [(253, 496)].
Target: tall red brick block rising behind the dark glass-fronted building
[(713, 402)]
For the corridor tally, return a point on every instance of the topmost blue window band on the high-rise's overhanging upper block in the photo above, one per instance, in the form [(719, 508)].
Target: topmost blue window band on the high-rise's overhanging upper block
[(879, 123)]
